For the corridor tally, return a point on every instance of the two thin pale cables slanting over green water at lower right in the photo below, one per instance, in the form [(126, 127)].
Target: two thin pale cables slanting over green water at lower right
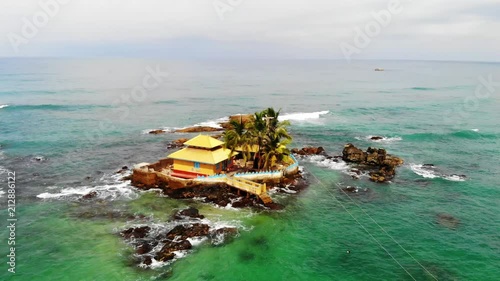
[(368, 232)]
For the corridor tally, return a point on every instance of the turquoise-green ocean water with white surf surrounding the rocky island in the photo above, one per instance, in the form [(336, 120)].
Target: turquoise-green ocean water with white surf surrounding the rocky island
[(66, 126)]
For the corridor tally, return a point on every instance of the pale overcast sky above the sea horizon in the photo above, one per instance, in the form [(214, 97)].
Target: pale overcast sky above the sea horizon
[(424, 29)]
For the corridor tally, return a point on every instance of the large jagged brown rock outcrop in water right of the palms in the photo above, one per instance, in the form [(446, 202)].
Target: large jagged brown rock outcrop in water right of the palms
[(373, 157)]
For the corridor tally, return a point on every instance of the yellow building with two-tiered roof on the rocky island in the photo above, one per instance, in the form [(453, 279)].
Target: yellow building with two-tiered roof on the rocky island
[(202, 156)]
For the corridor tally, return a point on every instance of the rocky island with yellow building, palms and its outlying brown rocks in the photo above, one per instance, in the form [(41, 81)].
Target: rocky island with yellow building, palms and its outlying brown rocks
[(235, 171)]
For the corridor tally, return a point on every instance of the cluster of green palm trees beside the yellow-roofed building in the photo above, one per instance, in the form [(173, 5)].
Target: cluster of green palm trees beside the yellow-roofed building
[(262, 138)]
